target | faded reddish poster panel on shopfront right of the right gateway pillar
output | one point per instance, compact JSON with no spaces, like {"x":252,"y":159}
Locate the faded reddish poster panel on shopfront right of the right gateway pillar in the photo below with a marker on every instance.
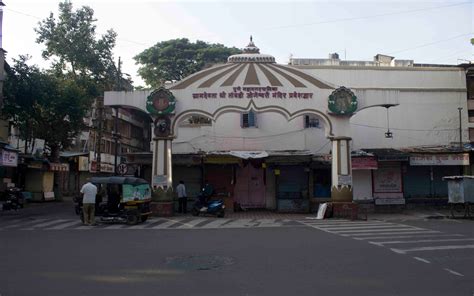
{"x":388,"y":179}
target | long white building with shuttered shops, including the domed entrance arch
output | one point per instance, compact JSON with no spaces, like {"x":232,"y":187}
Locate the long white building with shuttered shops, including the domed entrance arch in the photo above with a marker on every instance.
{"x":281,"y":136}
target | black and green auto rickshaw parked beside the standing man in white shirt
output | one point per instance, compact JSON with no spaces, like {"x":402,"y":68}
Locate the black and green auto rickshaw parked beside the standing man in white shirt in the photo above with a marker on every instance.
{"x":120,"y":199}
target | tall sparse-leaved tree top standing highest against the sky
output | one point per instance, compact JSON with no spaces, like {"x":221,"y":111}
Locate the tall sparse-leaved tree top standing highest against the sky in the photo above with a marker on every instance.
{"x":72,"y":45}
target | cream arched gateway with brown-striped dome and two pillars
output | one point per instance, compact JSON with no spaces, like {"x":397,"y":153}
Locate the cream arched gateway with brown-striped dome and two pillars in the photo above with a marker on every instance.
{"x":253,"y":82}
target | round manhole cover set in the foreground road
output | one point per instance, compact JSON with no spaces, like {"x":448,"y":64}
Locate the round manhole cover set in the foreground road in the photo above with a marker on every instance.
{"x":198,"y":262}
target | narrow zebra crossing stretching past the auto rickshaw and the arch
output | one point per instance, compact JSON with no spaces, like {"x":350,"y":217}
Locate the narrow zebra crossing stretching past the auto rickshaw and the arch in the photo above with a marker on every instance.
{"x":57,"y":224}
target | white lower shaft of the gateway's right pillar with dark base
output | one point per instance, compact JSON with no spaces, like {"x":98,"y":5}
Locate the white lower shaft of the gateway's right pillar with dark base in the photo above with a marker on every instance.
{"x":341,"y":190}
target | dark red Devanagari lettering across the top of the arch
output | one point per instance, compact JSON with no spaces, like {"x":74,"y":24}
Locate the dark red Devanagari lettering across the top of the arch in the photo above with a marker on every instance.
{"x":268,"y":92}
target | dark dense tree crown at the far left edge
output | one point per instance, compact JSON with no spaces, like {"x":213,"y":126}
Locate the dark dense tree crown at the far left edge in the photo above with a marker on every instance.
{"x":45,"y":105}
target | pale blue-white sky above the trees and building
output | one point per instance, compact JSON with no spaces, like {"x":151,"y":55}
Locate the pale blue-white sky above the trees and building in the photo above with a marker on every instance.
{"x":434,"y":32}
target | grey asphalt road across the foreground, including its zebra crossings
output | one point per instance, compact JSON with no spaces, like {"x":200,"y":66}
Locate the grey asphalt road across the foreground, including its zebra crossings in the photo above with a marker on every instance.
{"x":41,"y":256}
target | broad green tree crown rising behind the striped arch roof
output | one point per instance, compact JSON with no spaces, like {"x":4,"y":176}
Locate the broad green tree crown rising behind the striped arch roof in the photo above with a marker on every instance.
{"x":175,"y":59}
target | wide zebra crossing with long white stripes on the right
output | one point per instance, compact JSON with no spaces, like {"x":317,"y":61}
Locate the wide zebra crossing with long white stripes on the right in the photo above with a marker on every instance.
{"x":399,"y":238}
